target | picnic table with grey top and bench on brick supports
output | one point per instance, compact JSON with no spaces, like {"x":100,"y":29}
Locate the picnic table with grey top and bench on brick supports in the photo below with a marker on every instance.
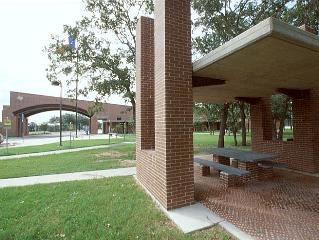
{"x":249,"y":166}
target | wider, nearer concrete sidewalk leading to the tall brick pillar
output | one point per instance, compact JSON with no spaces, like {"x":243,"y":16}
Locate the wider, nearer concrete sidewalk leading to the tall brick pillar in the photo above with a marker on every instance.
{"x":65,"y":177}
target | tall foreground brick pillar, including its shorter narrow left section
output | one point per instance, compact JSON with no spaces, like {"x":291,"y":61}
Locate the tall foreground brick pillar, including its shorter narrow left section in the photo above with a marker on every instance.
{"x":168,"y":171}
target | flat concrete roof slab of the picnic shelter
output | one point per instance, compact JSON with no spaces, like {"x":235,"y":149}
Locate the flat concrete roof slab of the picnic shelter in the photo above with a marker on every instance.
{"x":256,"y":63}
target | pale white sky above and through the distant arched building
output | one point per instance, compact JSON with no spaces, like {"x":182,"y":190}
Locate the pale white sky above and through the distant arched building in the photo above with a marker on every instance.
{"x":25,"y":28}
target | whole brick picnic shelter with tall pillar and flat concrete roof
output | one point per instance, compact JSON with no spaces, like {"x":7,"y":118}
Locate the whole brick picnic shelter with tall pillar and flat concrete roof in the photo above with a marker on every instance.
{"x":271,"y":57}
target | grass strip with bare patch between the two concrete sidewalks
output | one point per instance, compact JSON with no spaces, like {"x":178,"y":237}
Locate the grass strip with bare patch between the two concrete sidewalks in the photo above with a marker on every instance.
{"x":98,"y":159}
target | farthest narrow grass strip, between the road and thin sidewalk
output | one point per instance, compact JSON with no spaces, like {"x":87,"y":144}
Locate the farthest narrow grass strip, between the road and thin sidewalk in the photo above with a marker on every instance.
{"x":66,"y":145}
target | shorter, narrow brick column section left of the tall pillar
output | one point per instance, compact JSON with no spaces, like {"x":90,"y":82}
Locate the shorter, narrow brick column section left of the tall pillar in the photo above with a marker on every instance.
{"x":145,"y":120}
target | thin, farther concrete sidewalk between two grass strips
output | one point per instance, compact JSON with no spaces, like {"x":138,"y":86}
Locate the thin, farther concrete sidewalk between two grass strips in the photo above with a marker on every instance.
{"x":61,"y":151}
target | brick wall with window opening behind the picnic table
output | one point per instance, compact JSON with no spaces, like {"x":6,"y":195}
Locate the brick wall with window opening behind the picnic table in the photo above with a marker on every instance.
{"x":300,"y":154}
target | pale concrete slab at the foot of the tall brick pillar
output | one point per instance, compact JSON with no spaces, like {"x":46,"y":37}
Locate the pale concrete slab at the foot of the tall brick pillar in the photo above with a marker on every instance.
{"x":193,"y":218}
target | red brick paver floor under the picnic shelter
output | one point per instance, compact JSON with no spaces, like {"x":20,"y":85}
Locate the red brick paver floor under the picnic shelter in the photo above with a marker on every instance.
{"x":284,"y":207}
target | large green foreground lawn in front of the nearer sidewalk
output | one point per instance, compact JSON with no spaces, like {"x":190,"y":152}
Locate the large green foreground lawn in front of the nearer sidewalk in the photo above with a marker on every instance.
{"x":114,"y":208}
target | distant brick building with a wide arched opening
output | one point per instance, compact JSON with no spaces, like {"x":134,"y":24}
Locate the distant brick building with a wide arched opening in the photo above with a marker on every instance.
{"x":24,"y":105}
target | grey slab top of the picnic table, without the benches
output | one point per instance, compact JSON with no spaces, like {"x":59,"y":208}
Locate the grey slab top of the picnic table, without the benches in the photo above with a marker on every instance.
{"x":244,"y":156}
